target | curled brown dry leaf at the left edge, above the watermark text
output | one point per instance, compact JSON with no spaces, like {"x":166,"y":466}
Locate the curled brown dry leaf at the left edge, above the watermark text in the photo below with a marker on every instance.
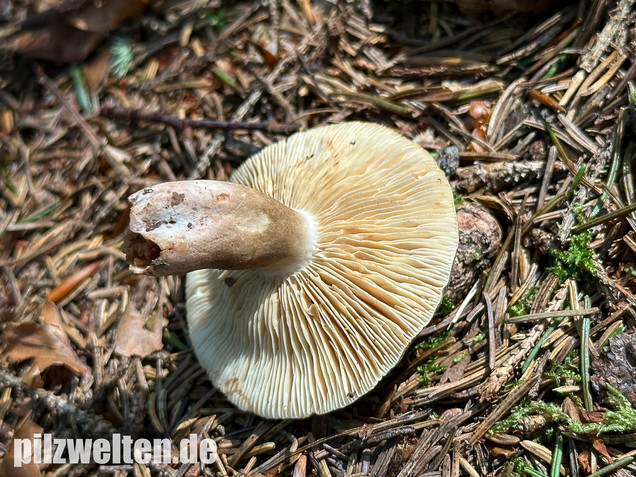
{"x":46,"y":344}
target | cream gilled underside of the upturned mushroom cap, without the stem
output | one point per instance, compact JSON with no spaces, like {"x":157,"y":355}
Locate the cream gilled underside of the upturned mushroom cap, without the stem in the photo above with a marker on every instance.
{"x":307,"y":340}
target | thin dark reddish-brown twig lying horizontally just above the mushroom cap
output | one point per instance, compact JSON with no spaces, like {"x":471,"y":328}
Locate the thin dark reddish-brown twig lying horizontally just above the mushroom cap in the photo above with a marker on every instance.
{"x":136,"y":115}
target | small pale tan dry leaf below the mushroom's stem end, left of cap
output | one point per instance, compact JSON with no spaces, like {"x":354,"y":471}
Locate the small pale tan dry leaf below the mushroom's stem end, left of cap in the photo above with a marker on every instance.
{"x":134,"y":338}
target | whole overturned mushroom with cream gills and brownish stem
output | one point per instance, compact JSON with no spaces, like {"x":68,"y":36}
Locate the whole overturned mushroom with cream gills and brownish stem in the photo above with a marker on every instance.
{"x":311,"y":272}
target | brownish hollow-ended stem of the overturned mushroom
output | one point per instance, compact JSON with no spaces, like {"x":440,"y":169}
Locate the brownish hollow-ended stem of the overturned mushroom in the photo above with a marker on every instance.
{"x":178,"y":227}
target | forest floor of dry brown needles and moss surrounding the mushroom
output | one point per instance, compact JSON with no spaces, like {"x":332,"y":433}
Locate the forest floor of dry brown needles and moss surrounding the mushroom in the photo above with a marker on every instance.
{"x":524,"y":369}
